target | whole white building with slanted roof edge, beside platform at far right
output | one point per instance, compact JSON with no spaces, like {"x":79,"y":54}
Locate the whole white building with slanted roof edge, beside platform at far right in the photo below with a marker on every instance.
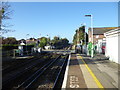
{"x":112,"y":45}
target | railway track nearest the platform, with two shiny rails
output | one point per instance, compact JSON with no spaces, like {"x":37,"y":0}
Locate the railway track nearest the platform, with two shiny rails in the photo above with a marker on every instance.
{"x":48,"y":77}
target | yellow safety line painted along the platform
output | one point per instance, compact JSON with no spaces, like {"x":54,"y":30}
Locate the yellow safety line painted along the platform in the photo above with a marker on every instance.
{"x":92,"y":74}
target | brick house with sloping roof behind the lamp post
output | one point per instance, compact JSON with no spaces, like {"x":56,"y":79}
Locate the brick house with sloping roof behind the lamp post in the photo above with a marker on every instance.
{"x":98,"y":37}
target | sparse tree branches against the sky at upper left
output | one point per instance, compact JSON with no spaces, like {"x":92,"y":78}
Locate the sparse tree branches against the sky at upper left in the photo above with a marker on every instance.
{"x":5,"y":13}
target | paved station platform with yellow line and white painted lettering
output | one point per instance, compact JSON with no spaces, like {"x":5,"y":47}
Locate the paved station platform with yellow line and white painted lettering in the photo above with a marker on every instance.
{"x":83,"y":72}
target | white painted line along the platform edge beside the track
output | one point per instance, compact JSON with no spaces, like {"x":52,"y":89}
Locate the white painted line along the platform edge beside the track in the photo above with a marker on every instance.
{"x":66,"y":74}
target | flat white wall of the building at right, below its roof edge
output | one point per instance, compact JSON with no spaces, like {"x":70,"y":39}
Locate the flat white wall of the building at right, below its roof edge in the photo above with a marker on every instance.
{"x":112,"y":46}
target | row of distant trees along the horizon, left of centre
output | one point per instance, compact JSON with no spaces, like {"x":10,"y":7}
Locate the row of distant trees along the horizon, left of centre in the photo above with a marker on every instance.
{"x":58,"y":42}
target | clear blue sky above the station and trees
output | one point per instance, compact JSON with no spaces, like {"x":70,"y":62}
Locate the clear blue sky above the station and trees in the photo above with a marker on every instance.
{"x":61,"y":19}
